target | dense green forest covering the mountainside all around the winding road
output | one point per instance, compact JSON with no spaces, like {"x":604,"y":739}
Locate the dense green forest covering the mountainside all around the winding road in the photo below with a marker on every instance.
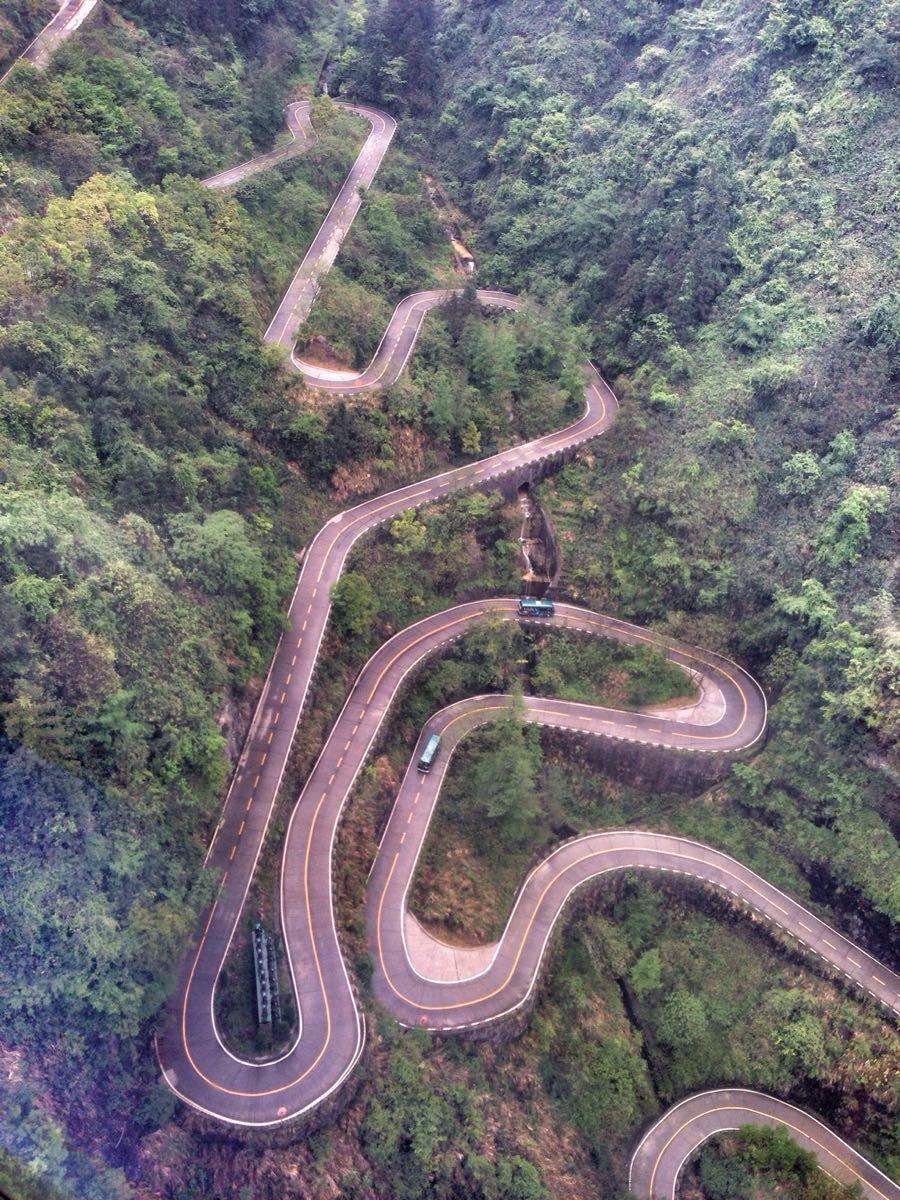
{"x":701,"y":196}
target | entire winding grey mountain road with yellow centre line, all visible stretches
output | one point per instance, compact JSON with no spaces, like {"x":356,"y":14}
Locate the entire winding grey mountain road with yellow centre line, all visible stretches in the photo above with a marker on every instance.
{"x":490,"y":983}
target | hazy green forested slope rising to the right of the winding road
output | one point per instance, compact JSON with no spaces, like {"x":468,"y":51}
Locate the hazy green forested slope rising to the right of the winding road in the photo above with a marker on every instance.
{"x":710,"y":190}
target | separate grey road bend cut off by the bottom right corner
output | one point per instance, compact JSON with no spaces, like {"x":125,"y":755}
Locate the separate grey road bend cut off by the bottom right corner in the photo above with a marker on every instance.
{"x":665,"y":1149}
